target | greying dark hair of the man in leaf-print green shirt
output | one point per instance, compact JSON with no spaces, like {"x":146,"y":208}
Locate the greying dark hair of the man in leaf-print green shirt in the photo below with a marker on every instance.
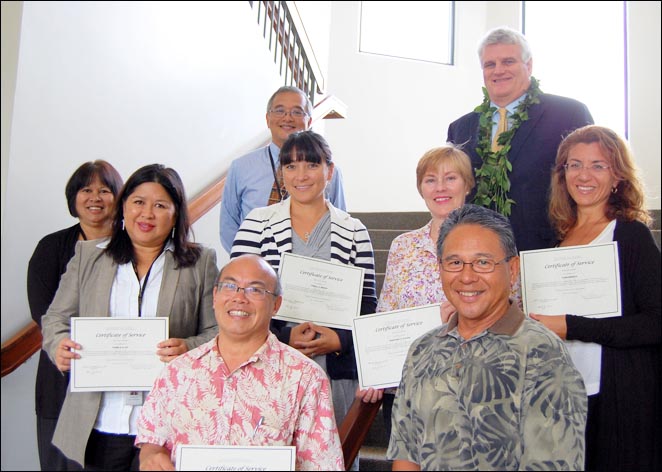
{"x":470,"y":214}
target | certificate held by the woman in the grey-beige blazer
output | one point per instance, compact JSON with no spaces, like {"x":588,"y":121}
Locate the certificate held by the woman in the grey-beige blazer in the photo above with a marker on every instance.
{"x":117,"y":354}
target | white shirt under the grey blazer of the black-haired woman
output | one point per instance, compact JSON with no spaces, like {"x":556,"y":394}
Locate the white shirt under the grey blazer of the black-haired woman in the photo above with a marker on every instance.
{"x":115,"y":416}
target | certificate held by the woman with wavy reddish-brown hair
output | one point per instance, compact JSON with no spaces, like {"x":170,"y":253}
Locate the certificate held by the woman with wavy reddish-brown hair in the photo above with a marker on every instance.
{"x":579,"y":280}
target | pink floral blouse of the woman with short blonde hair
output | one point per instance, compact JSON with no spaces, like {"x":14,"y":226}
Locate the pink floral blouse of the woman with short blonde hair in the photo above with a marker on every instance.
{"x":412,"y":273}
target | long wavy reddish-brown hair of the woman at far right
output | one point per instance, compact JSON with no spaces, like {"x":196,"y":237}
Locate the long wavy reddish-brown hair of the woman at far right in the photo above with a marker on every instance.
{"x":625,"y":204}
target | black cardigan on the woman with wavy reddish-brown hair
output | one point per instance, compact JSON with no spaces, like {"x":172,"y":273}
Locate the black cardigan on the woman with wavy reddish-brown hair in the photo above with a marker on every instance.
{"x":626,"y":413}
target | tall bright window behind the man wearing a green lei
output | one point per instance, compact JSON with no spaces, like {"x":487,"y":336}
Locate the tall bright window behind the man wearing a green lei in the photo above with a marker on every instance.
{"x":579,"y":51}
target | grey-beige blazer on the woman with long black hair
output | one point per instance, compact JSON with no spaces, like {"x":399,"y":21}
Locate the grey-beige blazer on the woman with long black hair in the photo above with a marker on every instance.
{"x":185,"y":297}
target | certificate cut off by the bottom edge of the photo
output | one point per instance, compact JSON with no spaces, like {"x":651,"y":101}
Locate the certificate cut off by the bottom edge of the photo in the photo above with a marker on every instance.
{"x":235,"y":457}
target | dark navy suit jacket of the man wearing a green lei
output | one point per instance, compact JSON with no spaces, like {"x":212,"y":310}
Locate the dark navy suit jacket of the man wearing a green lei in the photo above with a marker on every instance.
{"x":532,"y":154}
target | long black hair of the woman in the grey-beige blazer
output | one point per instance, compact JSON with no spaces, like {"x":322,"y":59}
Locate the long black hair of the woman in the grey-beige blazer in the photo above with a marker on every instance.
{"x":120,"y":247}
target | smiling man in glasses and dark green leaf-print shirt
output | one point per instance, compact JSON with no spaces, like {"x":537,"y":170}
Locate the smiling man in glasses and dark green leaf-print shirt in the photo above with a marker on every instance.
{"x":492,"y":389}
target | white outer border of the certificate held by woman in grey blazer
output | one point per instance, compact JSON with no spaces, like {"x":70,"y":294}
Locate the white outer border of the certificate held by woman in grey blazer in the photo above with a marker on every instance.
{"x":74,"y":377}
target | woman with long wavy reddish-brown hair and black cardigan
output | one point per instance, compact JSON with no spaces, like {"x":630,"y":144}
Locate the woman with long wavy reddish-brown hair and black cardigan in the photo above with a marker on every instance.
{"x":596,"y":197}
